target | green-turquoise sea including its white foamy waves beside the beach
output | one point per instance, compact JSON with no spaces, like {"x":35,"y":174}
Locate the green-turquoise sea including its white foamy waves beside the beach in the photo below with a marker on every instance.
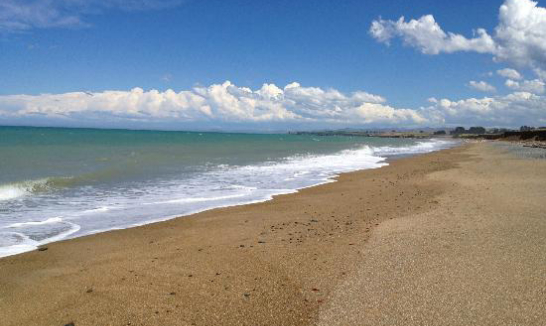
{"x":59,"y":183}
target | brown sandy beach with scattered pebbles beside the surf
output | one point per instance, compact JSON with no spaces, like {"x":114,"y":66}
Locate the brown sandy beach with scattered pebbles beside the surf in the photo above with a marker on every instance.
{"x":456,"y":237}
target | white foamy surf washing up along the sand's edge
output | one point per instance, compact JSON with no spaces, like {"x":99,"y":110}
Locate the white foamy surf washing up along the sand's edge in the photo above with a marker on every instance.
{"x":89,"y":209}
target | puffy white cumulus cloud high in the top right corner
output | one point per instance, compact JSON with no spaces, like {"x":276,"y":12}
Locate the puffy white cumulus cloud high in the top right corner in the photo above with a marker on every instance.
{"x":519,"y":38}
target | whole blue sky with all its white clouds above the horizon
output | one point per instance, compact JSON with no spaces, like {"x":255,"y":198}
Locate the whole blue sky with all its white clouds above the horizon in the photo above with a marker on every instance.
{"x":272,"y":65}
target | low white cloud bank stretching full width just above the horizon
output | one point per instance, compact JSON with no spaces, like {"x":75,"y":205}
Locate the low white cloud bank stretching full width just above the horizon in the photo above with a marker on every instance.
{"x":227,"y":105}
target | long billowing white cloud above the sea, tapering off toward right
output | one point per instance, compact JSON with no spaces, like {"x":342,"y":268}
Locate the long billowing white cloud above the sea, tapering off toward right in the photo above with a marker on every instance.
{"x":215,"y":105}
